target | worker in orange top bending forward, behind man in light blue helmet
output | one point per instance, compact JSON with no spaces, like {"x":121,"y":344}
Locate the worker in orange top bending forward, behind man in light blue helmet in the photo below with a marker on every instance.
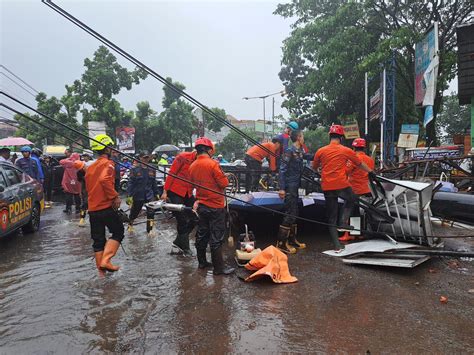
{"x":254,"y":158}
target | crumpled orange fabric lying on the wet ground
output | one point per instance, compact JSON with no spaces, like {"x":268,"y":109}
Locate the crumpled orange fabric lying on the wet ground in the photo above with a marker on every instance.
{"x":273,"y":263}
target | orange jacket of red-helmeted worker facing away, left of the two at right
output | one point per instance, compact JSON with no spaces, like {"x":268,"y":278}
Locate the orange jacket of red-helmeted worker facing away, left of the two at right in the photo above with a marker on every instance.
{"x":333,"y":160}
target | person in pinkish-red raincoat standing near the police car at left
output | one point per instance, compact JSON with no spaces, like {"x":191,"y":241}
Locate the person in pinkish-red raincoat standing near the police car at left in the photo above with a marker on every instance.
{"x":70,"y":183}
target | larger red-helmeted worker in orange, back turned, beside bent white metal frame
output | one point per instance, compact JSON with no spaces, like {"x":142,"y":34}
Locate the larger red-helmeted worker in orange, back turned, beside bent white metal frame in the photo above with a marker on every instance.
{"x":333,"y":159}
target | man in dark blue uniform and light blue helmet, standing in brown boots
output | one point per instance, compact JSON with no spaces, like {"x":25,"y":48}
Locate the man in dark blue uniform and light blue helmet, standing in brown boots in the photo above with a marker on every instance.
{"x":291,"y":169}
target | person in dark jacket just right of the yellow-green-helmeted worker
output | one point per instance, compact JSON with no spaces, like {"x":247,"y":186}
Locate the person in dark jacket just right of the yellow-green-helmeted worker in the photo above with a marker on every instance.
{"x":141,"y":189}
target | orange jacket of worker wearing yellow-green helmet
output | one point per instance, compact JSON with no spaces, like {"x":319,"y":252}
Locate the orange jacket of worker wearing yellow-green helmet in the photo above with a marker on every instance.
{"x":100,"y":181}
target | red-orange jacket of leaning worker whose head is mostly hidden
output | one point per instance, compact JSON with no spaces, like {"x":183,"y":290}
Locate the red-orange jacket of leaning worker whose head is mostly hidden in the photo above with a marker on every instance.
{"x":180,"y":167}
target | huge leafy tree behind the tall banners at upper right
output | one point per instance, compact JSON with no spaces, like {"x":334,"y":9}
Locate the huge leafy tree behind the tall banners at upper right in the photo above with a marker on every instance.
{"x":334,"y":42}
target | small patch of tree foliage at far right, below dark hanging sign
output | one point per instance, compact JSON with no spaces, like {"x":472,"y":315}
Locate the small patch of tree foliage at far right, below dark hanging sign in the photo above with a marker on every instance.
{"x":453,"y":118}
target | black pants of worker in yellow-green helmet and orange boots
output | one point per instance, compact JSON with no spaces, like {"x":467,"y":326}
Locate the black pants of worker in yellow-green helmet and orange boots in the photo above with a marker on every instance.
{"x":101,"y":219}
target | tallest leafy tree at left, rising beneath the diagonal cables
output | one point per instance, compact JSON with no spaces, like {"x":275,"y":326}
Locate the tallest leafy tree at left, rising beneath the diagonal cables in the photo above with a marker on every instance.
{"x":105,"y":77}
